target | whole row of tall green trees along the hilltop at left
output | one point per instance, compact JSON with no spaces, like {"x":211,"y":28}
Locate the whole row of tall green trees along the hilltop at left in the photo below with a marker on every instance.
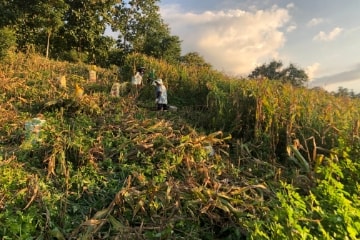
{"x":74,"y":30}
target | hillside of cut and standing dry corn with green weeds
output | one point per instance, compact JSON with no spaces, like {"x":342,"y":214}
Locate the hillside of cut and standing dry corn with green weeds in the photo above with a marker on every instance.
{"x":285,"y":162}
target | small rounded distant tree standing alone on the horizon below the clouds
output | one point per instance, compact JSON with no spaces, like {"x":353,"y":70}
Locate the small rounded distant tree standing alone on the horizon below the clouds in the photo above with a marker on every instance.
{"x":275,"y":71}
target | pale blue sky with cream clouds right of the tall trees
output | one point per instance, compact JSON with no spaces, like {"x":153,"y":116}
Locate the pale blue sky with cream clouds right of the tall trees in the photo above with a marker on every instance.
{"x":321,"y":37}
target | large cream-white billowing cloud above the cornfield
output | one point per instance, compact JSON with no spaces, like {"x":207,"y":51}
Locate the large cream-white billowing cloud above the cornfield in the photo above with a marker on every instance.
{"x":235,"y":41}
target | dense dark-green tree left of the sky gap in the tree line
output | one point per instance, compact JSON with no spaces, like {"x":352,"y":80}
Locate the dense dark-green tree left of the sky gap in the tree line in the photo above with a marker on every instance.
{"x":85,"y":24}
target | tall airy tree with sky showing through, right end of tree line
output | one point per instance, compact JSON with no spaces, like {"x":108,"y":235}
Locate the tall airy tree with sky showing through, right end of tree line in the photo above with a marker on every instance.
{"x":142,"y":30}
